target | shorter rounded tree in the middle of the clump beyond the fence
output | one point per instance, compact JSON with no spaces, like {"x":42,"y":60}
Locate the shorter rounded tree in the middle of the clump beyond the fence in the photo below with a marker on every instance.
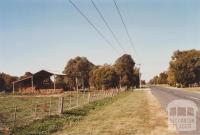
{"x":104,"y":77}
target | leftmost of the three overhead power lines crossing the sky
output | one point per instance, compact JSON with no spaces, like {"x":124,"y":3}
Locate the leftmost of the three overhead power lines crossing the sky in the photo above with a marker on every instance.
{"x":90,"y":22}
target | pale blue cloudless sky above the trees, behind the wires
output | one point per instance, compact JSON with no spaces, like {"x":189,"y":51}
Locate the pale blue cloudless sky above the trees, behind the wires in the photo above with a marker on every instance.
{"x":45,"y":34}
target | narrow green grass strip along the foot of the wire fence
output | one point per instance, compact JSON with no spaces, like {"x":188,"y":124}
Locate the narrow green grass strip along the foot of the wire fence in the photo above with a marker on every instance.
{"x":52,"y":124}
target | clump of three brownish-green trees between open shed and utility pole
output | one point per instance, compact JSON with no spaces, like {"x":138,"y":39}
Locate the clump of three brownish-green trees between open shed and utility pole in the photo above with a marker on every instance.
{"x":122,"y":73}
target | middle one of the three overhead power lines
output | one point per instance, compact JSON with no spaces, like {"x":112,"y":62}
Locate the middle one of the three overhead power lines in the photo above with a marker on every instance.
{"x":107,"y":25}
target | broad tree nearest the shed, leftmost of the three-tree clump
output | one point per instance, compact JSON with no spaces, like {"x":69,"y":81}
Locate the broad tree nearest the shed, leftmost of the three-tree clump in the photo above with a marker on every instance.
{"x":78,"y":69}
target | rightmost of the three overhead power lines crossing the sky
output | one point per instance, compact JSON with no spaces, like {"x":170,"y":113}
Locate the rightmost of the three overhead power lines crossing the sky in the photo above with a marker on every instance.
{"x":125,"y":27}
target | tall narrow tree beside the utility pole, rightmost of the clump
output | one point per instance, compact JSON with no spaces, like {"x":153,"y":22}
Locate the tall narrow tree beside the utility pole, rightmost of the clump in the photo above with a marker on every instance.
{"x":124,"y":67}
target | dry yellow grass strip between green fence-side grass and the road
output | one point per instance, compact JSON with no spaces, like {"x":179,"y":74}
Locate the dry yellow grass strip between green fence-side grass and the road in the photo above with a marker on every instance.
{"x":138,"y":113}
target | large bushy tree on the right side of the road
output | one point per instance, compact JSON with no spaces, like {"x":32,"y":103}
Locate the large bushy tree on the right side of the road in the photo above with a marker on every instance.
{"x":184,"y":69}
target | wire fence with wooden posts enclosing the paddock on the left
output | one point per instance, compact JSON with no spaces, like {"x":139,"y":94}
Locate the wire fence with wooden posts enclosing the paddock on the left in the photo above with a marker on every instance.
{"x":17,"y":111}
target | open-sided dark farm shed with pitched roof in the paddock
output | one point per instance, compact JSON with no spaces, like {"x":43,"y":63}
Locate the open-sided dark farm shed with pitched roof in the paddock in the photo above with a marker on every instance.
{"x":37,"y":83}
